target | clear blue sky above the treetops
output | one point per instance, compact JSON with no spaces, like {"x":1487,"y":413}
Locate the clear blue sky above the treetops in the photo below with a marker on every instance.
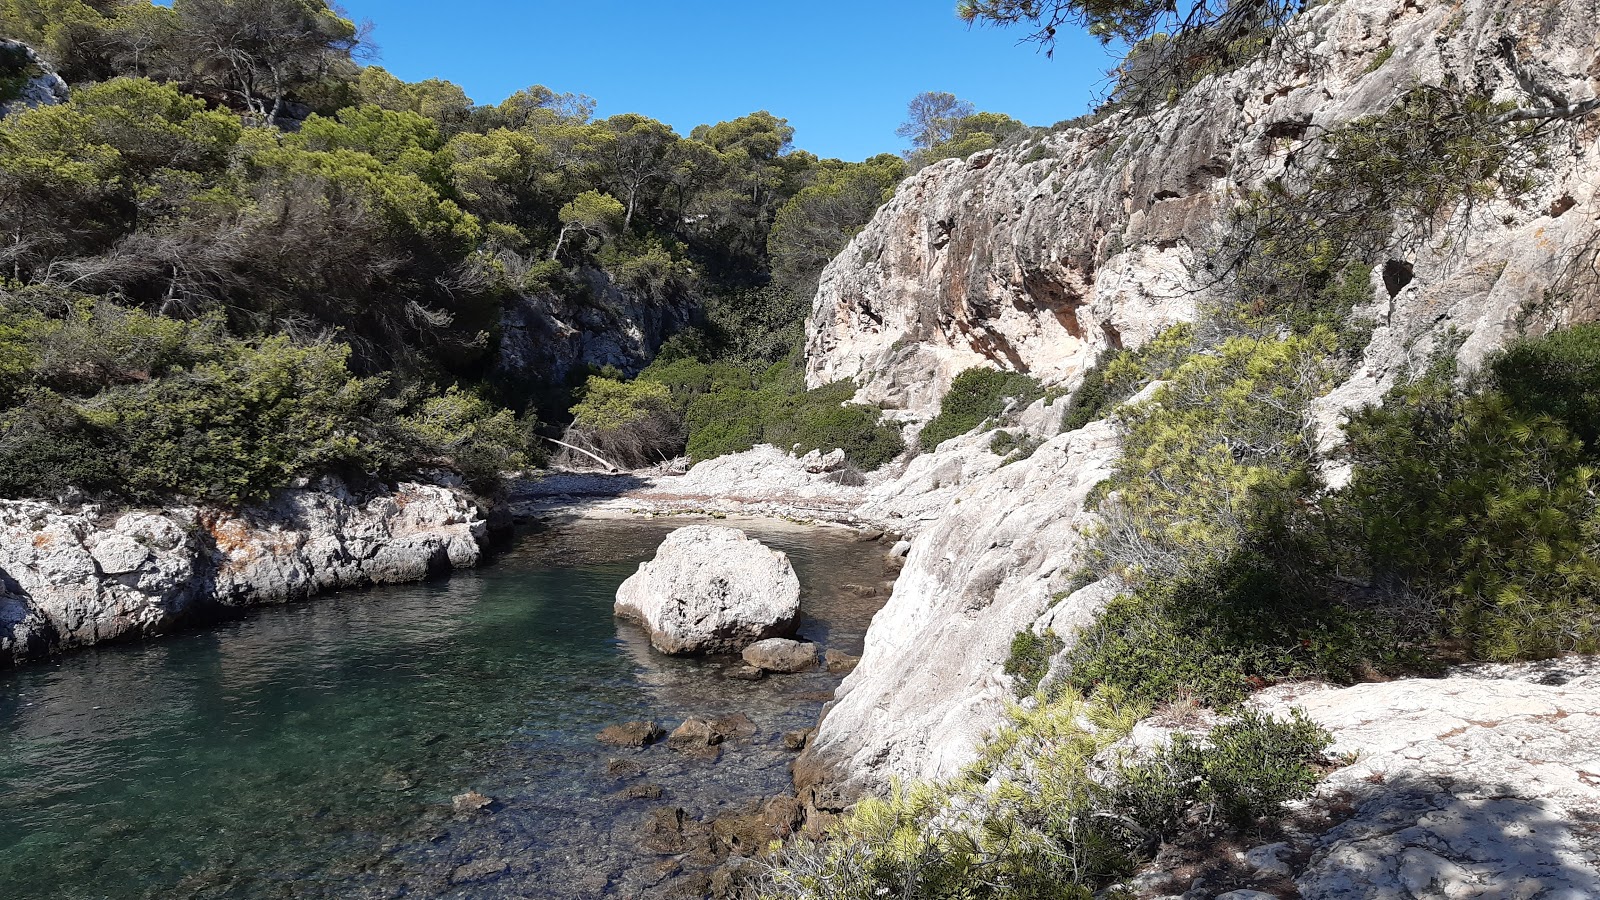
{"x":839,"y":71}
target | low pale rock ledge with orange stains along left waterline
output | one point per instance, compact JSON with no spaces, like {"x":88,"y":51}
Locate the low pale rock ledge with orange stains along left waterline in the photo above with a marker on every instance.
{"x":79,"y":577}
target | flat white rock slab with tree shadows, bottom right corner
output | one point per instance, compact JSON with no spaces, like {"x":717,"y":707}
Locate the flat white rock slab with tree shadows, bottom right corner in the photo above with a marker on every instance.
{"x":1484,"y":784}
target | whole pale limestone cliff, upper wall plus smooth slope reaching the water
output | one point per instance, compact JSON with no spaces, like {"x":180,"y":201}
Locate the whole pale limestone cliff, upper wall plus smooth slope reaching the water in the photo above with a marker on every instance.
{"x":1039,"y":257}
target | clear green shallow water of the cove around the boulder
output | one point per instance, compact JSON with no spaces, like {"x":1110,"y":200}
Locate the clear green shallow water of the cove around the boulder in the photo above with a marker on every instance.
{"x":313,"y":750}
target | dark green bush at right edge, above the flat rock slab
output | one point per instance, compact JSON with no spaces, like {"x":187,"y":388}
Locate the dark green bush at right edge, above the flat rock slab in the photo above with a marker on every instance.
{"x":1482,"y":502}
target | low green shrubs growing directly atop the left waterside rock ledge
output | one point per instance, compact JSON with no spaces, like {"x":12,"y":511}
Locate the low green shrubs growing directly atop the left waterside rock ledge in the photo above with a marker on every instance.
{"x":145,"y":408}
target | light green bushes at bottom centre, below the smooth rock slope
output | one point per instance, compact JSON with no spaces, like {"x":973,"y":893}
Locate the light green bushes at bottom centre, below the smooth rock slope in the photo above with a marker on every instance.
{"x":1031,"y":824}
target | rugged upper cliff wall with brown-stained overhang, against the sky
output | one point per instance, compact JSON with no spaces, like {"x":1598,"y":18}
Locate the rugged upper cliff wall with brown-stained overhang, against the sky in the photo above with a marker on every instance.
{"x":1039,"y":257}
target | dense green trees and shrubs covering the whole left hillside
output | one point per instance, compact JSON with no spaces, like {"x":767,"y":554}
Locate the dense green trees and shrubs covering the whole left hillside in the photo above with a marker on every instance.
{"x":249,"y":219}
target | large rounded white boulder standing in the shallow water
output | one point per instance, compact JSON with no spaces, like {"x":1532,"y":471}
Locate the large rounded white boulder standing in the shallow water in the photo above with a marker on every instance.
{"x":711,"y":592}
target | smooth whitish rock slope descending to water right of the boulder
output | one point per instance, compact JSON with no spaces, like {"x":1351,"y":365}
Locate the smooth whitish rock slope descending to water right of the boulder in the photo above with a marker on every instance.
{"x":930,"y":683}
